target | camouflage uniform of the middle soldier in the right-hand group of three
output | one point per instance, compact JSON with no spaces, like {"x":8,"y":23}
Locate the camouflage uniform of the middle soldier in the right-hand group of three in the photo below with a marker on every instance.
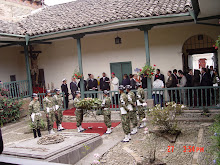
{"x":133,"y":114}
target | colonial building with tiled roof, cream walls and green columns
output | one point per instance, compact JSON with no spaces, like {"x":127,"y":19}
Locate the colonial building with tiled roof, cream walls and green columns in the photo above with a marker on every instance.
{"x":98,"y":36}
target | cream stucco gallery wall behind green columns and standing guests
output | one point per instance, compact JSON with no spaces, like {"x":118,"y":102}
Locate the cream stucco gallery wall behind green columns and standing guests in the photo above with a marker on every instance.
{"x":60,"y":58}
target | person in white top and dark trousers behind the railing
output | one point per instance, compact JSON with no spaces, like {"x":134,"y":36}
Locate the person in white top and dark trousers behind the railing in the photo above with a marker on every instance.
{"x":158,"y":95}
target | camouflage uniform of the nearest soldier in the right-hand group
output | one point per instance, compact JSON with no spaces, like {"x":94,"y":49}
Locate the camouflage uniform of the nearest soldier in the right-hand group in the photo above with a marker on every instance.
{"x":125,"y":119}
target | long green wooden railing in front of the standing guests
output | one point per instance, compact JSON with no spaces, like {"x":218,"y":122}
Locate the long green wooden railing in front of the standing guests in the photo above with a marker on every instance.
{"x":192,"y":97}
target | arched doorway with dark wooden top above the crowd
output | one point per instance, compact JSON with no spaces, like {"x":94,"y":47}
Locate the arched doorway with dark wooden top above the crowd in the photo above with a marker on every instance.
{"x":198,"y":51}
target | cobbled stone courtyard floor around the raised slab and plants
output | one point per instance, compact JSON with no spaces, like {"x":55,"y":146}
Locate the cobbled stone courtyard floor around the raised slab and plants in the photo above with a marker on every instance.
{"x":114,"y":152}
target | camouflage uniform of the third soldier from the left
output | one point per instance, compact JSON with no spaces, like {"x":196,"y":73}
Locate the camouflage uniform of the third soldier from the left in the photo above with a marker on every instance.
{"x":58,"y":101}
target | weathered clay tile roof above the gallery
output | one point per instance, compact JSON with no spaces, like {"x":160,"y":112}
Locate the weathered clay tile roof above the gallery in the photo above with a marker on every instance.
{"x":83,"y":13}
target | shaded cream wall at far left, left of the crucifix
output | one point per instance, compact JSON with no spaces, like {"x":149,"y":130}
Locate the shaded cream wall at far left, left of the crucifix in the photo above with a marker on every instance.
{"x":12,"y":62}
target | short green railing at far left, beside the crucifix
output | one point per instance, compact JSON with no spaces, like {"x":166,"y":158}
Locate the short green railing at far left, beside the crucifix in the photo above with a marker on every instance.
{"x":17,"y":89}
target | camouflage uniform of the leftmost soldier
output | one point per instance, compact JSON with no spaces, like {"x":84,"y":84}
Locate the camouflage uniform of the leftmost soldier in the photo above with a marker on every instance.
{"x":34,"y":112}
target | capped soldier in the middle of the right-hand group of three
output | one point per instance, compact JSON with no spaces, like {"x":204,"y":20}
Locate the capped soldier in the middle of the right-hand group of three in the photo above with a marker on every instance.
{"x":132,"y":108}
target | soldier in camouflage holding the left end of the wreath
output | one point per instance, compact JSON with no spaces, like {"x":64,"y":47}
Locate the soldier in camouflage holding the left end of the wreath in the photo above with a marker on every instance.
{"x":78,"y":112}
